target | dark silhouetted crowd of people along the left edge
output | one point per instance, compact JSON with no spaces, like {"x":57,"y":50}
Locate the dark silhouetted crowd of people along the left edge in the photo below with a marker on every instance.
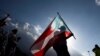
{"x":8,"y":40}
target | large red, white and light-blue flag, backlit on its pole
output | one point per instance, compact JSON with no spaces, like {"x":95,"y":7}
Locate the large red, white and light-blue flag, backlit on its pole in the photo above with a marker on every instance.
{"x":48,"y":37}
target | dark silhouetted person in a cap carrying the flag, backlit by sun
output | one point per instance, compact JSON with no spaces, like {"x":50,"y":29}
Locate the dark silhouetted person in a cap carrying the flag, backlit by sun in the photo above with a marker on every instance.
{"x":61,"y":46}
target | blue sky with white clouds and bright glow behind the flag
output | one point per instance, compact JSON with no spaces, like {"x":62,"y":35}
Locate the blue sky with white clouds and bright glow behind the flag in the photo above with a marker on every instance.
{"x":81,"y":16}
